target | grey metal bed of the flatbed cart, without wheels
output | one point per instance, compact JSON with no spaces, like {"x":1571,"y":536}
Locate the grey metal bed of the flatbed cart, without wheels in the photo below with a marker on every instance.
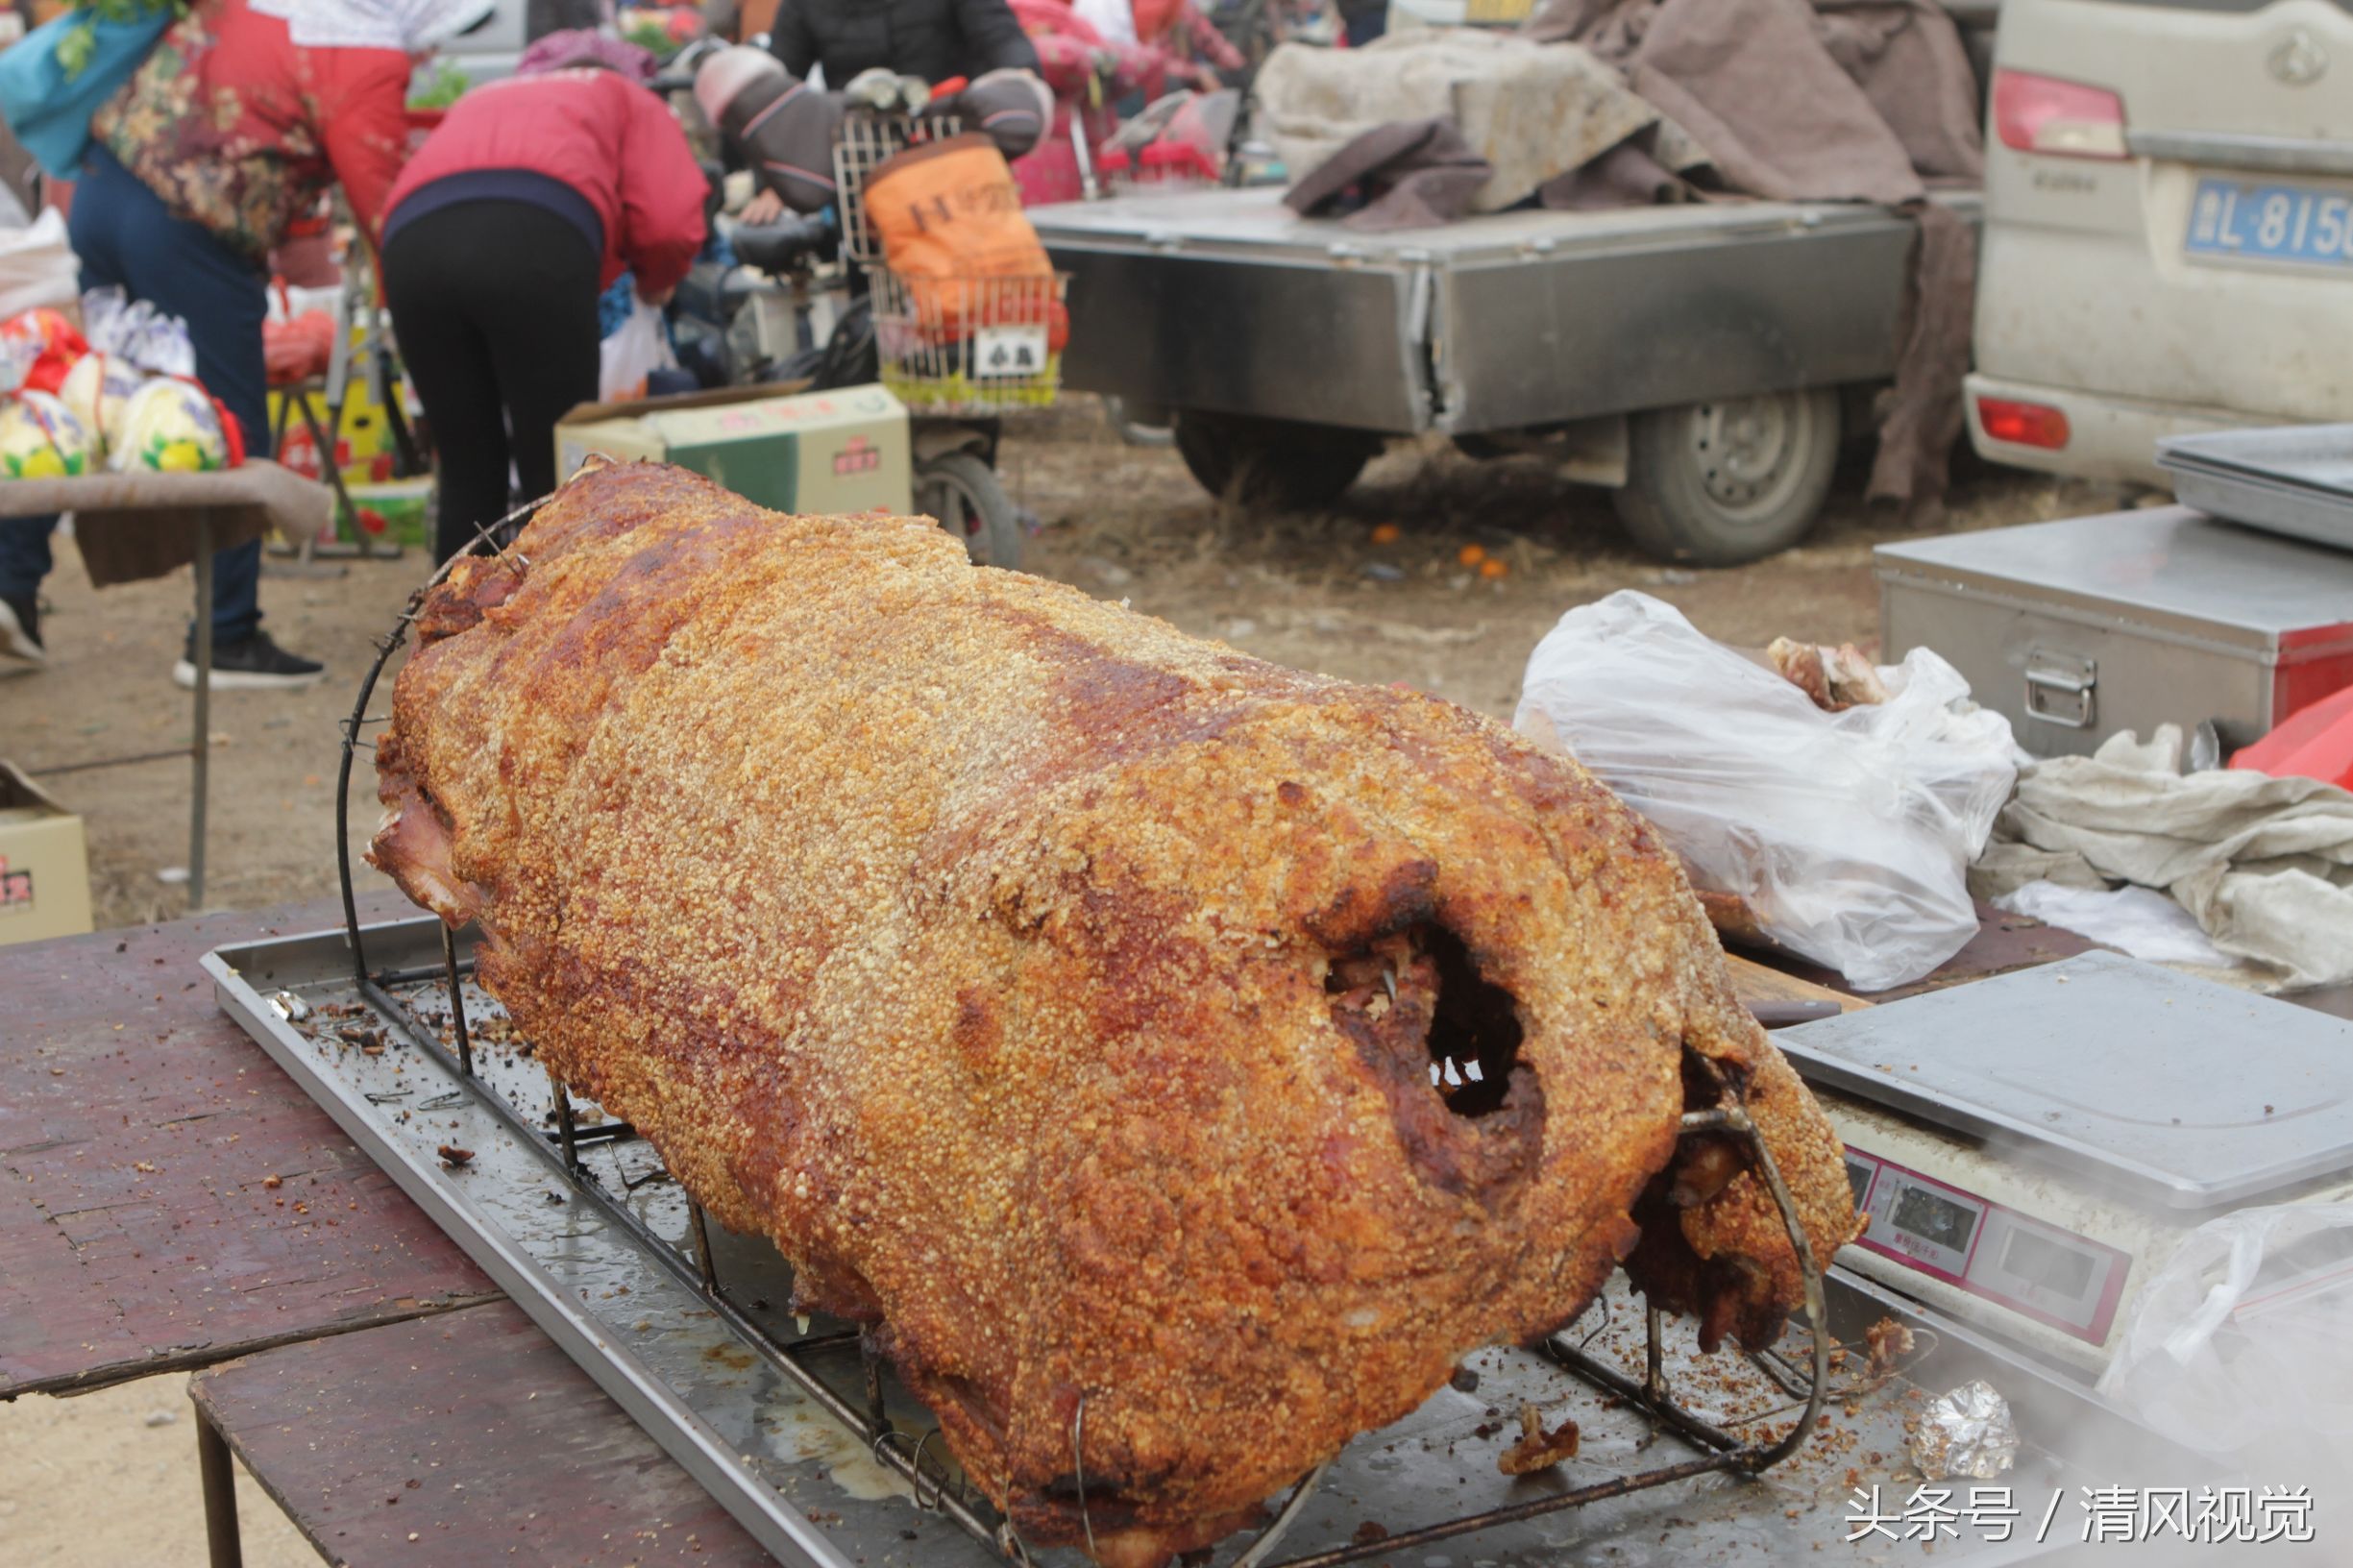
{"x":1227,"y":300}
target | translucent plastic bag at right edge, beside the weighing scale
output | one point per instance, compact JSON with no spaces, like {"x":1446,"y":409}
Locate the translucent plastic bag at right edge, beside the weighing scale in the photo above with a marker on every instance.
{"x":2244,"y":1341}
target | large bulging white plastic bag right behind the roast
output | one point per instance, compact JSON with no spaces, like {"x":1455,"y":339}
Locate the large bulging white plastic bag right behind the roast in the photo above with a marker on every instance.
{"x":1846,"y":835}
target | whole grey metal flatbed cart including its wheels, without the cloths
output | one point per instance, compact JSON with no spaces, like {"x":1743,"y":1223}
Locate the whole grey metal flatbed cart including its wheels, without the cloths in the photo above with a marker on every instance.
{"x":1700,"y":359}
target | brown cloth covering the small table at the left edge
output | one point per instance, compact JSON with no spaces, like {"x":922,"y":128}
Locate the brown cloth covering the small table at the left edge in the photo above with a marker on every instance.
{"x":142,"y":524}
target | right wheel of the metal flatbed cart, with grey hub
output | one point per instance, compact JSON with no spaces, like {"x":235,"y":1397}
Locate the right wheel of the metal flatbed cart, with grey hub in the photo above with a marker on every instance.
{"x":1735,"y":481}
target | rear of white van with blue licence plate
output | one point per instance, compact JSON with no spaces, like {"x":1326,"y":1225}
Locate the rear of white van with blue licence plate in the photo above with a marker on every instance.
{"x":2168,"y":227}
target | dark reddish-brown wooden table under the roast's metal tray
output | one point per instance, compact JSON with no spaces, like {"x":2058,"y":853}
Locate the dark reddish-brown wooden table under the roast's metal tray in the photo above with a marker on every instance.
{"x":373,"y":1381}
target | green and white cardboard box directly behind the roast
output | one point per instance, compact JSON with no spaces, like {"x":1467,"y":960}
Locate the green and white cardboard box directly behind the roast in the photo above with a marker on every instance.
{"x":808,"y":453}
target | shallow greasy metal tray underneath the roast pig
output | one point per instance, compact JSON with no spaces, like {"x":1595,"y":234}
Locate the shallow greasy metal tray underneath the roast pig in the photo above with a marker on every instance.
{"x":608,"y":1268}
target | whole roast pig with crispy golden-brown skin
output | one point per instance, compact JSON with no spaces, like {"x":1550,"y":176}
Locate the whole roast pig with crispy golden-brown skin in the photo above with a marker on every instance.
{"x":1062,"y":995}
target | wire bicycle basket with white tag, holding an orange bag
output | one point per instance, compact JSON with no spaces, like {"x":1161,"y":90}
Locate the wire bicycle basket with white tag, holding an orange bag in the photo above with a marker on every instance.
{"x":968,"y":345}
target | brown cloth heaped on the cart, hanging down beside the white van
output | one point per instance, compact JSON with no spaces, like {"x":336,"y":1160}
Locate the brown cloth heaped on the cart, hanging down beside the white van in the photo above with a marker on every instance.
{"x":1844,"y":100}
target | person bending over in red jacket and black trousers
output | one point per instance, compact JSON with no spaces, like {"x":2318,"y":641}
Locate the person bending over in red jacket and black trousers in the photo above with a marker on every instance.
{"x":505,"y":230}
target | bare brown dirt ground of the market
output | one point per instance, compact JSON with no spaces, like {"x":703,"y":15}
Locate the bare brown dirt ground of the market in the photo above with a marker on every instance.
{"x":1116,"y":521}
